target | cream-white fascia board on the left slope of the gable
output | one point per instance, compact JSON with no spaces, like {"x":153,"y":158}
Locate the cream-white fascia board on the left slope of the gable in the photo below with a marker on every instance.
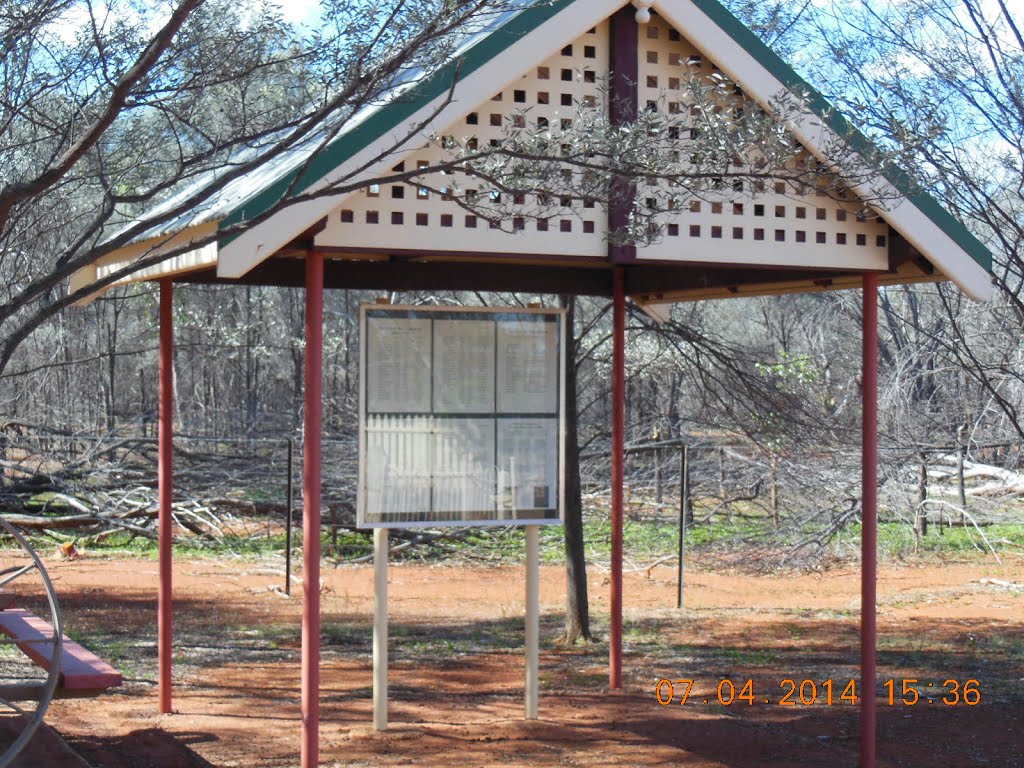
{"x":263,"y":241}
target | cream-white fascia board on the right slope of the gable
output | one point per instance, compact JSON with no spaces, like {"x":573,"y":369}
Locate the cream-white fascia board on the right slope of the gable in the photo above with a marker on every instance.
{"x":756,"y":81}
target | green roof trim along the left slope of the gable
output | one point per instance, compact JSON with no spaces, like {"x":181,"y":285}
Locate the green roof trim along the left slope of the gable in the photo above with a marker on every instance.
{"x":394,"y":114}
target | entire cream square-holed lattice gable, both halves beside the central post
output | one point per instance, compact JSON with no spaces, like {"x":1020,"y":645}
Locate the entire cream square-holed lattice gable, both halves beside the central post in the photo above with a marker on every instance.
{"x":763,"y":224}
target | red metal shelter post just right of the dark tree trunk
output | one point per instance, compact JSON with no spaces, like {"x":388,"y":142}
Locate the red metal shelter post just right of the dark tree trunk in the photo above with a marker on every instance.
{"x":618,"y":453}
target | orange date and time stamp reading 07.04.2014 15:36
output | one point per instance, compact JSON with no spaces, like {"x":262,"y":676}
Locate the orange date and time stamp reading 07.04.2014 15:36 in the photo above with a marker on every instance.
{"x":807,"y":693}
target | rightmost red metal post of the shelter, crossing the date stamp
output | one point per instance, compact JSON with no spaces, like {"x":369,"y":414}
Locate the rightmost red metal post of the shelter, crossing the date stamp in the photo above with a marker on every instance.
{"x":870,"y":503}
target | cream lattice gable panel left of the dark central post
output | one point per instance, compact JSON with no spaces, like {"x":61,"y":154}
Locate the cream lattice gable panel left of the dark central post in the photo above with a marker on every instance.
{"x":404,"y":218}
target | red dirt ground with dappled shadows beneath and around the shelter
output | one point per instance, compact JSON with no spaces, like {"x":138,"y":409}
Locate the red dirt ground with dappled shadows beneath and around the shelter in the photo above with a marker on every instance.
{"x":457,"y":668}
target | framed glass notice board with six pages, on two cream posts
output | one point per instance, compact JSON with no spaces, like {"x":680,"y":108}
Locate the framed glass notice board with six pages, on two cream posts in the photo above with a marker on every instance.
{"x":399,"y":390}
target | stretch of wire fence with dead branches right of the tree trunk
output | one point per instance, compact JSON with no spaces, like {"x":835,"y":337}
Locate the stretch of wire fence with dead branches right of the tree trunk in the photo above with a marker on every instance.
{"x":795,"y":506}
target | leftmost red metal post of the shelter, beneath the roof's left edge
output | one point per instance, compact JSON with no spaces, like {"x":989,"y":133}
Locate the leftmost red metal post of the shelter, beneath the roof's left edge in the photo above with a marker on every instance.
{"x":165,"y":481}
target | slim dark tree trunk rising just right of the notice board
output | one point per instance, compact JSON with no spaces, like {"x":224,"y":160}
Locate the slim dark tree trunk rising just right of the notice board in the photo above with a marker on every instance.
{"x":577,"y":602}
